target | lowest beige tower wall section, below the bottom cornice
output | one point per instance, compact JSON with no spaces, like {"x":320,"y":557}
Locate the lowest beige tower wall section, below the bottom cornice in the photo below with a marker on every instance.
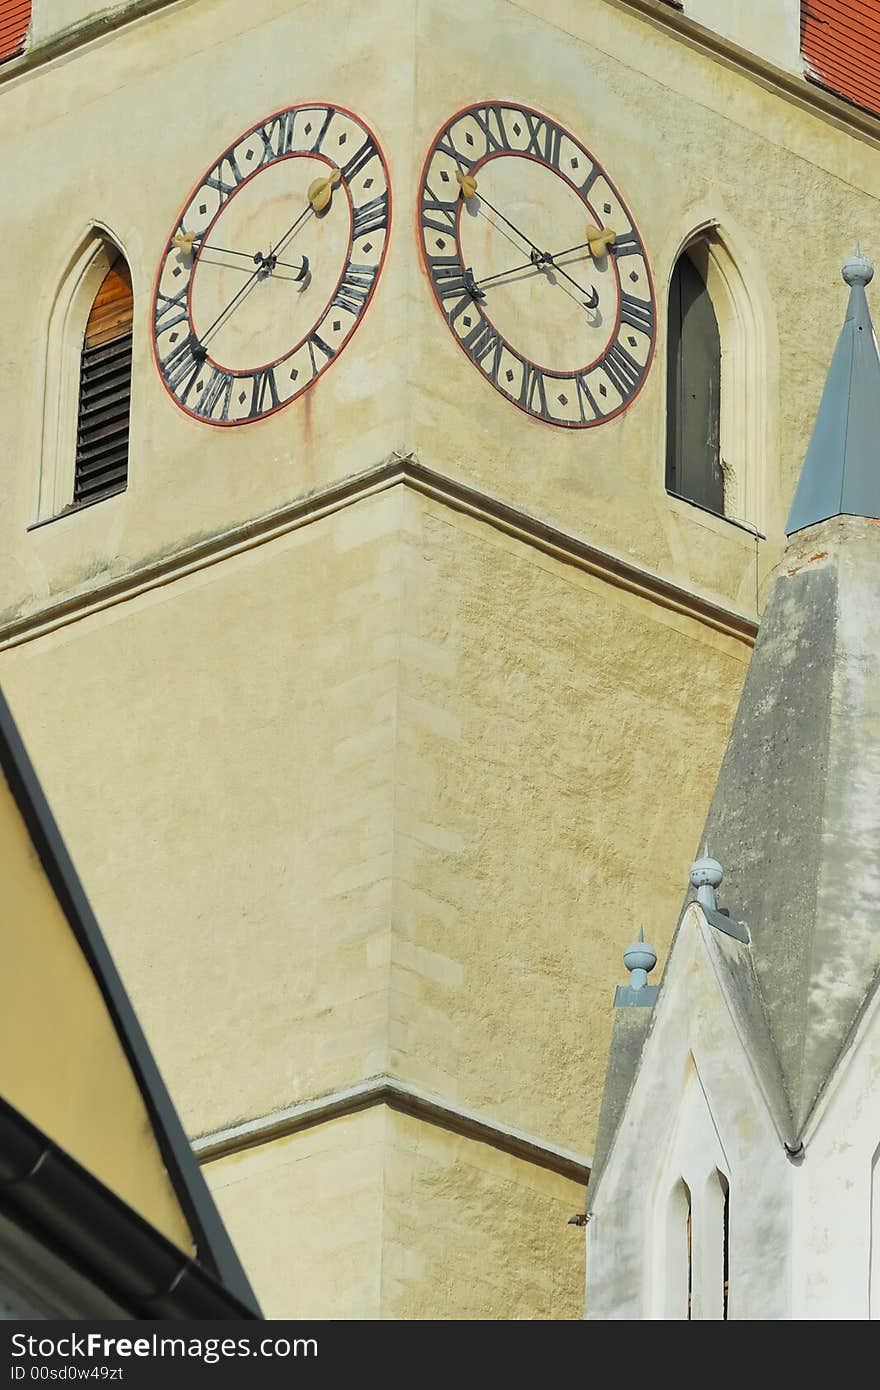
{"x":382,"y":1216}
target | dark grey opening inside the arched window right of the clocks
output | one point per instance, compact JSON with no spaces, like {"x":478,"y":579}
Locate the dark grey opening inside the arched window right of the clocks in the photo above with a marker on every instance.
{"x":694,"y":391}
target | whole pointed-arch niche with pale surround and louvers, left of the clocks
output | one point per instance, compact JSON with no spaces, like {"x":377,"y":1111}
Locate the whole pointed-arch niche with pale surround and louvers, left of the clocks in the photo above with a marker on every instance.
{"x":84,"y":454}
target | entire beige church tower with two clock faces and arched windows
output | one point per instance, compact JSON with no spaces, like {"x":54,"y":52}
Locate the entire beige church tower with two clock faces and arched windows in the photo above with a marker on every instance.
{"x":402,"y":407}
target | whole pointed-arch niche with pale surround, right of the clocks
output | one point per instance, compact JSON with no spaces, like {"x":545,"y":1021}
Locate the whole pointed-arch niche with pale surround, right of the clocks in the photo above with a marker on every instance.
{"x":715,"y":320}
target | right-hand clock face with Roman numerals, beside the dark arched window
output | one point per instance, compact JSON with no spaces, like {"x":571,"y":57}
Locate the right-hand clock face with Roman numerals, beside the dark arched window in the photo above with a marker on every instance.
{"x":537,"y":265}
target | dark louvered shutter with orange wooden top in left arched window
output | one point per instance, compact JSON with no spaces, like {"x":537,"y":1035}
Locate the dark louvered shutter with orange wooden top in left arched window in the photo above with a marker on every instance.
{"x":105,"y":391}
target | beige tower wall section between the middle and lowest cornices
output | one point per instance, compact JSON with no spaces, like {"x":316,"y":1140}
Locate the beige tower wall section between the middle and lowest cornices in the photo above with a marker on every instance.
{"x":368,"y":799}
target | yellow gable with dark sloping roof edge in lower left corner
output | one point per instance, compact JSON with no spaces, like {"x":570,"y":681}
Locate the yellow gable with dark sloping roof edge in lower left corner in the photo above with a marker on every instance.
{"x":72,"y":1040}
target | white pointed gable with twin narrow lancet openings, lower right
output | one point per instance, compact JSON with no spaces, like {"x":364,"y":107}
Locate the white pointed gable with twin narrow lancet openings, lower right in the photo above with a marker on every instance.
{"x":696,"y":1120}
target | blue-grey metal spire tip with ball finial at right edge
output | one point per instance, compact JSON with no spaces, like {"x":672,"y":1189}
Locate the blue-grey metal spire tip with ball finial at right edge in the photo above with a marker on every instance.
{"x":842,"y":469}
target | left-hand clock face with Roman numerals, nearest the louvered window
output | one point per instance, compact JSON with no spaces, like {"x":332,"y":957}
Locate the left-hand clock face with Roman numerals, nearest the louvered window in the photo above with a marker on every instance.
{"x":272,"y":265}
